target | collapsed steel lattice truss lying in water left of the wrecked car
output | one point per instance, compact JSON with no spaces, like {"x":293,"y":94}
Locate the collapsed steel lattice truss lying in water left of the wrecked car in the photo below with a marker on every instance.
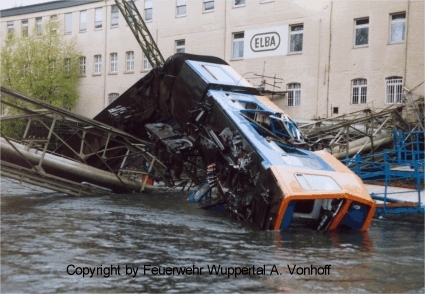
{"x":56,"y":149}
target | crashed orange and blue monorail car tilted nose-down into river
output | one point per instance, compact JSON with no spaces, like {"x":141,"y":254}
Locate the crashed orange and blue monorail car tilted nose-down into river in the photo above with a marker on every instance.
{"x":263,"y":168}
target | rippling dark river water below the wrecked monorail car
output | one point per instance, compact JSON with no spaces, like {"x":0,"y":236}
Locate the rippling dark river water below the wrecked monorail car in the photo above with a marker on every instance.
{"x":49,"y":240}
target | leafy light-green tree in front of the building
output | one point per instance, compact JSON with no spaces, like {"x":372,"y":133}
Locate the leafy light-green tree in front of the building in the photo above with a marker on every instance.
{"x":43,"y":65}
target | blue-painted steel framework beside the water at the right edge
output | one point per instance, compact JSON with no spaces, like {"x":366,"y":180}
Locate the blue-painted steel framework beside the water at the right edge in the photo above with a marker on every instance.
{"x":405,"y":161}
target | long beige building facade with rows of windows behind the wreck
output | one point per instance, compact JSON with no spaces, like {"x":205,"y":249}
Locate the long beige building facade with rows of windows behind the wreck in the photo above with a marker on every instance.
{"x":325,"y":57}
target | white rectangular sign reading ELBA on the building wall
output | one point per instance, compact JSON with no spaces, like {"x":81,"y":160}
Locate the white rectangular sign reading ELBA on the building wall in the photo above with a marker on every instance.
{"x":266,"y":42}
